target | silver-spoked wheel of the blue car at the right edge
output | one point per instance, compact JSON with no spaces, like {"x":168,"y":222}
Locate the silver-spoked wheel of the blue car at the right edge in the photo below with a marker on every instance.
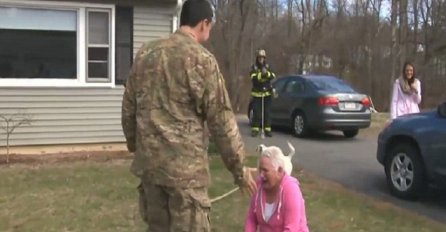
{"x":405,"y":172}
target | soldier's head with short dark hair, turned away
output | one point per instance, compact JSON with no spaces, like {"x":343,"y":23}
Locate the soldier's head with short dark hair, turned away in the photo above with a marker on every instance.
{"x":198,"y":16}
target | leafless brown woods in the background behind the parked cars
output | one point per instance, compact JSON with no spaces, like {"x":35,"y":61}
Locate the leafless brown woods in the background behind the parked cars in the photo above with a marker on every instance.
{"x":363,"y":44}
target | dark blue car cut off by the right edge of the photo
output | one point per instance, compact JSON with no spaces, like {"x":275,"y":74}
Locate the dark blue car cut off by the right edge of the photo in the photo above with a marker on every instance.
{"x":412,"y":150}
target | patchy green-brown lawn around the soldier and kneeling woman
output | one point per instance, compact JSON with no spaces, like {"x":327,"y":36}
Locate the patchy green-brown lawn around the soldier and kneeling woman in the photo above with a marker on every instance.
{"x":92,"y":196}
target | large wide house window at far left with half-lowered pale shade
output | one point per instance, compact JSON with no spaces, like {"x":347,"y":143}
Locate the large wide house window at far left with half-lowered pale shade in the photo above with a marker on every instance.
{"x":34,"y":45}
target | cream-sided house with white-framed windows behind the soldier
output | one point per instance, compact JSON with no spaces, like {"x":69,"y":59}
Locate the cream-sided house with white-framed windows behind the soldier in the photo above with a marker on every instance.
{"x":64,"y":63}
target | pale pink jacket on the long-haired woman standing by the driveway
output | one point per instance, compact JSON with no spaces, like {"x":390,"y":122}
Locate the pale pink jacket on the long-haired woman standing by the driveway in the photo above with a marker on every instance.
{"x":404,"y":103}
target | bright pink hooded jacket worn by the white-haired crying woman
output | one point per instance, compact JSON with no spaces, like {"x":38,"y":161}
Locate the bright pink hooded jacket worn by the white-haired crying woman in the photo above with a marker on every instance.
{"x":289,"y":214}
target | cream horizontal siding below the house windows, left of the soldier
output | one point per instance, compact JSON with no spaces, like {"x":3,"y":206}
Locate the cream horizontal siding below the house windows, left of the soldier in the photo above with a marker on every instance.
{"x":64,"y":115}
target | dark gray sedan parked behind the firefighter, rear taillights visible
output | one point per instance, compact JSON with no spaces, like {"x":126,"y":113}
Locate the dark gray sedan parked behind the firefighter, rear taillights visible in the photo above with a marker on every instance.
{"x":307,"y":103}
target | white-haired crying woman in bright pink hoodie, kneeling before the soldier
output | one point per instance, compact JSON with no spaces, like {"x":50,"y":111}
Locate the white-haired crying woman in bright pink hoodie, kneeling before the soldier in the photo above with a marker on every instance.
{"x":278,"y":205}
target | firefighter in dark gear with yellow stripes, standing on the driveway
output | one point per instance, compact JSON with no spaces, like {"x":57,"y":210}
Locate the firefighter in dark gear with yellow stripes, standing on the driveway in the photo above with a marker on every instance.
{"x":262,"y":91}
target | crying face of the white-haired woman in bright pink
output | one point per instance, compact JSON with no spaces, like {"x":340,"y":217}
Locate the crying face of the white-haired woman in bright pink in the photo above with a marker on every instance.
{"x":270,"y":176}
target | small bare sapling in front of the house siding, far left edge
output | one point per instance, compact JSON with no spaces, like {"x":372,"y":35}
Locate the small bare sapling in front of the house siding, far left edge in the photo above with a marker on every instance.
{"x":10,"y":122}
